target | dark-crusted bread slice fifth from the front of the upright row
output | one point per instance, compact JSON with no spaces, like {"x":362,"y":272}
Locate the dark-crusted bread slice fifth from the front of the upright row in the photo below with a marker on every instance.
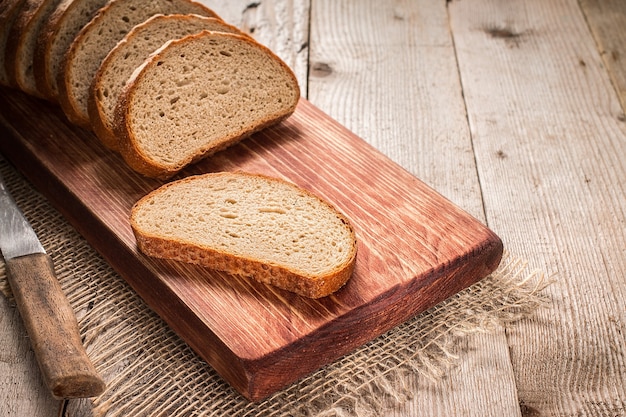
{"x":22,"y":40}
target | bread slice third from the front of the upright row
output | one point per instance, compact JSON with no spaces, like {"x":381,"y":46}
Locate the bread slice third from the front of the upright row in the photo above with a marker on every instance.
{"x":98,"y":37}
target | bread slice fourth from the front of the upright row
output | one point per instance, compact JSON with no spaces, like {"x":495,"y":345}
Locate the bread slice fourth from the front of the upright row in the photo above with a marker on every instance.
{"x":54,"y":40}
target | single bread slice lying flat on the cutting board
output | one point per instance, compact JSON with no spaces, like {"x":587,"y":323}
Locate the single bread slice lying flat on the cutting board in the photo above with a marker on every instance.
{"x":251,"y":225}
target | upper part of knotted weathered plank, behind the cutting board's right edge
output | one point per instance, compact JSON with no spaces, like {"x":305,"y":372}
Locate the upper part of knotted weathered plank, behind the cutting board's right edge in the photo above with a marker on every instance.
{"x":387,"y":71}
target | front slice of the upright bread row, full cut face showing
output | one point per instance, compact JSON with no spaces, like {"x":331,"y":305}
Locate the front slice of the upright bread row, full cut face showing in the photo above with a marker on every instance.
{"x":198,"y":95}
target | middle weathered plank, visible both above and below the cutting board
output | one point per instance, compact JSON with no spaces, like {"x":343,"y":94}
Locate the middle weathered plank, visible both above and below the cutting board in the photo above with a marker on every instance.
{"x":387,"y":71}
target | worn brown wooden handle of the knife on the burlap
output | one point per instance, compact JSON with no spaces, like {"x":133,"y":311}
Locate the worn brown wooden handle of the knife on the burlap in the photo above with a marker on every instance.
{"x":52,"y":328}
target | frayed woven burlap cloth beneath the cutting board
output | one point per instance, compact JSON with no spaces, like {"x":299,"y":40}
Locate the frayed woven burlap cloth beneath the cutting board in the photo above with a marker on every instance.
{"x":150,"y":371}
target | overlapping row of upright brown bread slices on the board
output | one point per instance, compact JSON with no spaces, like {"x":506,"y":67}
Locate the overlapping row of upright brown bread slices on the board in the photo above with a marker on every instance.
{"x":163,"y":82}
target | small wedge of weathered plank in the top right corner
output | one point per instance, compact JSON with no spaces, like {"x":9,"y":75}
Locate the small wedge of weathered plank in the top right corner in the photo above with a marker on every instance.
{"x":607,"y":20}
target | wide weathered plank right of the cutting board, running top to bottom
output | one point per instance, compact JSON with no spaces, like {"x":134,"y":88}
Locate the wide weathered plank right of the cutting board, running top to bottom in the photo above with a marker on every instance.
{"x":550,"y":144}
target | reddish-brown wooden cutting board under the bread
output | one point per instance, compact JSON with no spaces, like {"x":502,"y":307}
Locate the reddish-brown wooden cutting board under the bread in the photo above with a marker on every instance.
{"x":415,"y":247}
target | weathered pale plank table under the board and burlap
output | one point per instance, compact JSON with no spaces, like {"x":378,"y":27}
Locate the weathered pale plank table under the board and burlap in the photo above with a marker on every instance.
{"x":515,"y":111}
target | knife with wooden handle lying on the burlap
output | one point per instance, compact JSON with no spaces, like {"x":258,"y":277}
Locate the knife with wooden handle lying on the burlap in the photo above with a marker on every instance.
{"x":48,"y":317}
